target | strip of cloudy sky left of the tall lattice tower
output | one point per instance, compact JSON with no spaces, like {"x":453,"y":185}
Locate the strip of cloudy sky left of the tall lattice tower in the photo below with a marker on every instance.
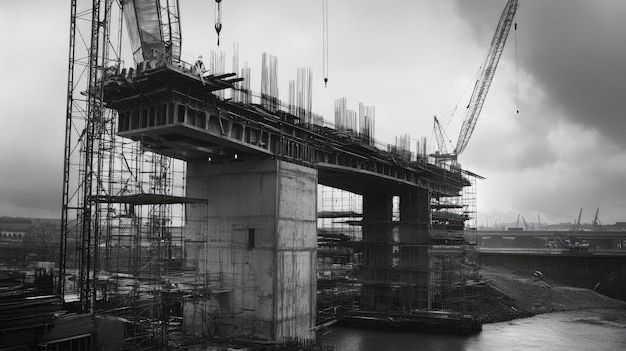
{"x":33,"y":107}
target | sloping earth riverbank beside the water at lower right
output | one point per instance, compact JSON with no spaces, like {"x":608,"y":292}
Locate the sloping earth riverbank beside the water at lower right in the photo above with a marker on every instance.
{"x":507,"y":295}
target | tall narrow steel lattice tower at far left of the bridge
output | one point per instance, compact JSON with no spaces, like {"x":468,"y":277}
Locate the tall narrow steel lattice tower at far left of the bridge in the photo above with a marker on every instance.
{"x":85,"y":124}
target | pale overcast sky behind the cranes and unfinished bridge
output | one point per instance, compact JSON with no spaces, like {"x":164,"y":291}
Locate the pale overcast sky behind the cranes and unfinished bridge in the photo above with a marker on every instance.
{"x":564,"y":70}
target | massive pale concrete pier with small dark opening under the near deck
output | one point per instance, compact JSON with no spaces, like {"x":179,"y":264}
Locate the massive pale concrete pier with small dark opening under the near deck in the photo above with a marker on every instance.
{"x":256,"y":240}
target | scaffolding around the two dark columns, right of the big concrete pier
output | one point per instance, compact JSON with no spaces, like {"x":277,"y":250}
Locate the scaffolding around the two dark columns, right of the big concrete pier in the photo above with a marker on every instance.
{"x":396,"y":267}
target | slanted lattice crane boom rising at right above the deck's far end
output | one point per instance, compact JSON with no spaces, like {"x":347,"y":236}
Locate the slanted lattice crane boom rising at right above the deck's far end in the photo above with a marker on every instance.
{"x":481,"y":88}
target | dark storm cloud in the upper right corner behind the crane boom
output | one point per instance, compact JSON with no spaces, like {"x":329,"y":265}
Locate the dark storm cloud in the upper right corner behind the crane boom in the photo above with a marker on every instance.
{"x":575,"y":50}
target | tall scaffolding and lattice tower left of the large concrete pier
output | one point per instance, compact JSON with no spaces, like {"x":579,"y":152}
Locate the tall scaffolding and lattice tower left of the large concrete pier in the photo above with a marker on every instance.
{"x":123,"y":237}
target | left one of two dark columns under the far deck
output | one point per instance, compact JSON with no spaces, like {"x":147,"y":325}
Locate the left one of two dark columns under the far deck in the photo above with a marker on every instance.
{"x":376,"y":293}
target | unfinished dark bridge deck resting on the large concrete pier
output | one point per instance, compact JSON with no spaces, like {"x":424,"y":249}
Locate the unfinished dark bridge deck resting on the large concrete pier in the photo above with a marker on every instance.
{"x":174,"y":112}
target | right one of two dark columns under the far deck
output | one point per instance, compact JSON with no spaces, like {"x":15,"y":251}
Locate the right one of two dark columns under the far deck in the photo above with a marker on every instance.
{"x":413,"y":244}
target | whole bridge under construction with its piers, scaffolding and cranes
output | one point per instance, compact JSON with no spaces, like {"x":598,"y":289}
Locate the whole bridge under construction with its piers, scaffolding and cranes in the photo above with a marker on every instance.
{"x":195,"y":209}
